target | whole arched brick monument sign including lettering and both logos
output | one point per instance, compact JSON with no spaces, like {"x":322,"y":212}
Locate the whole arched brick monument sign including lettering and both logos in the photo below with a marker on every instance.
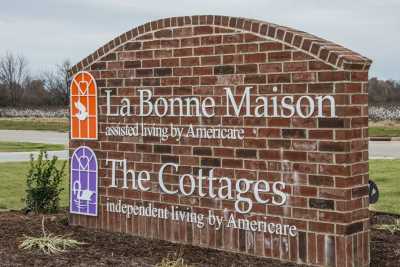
{"x":226,"y":133}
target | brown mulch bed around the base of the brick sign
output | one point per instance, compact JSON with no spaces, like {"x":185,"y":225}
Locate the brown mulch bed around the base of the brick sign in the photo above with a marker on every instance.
{"x":111,"y":249}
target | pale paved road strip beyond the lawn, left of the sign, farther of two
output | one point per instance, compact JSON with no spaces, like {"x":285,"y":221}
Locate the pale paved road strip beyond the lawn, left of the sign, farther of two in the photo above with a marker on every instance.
{"x":34,"y":136}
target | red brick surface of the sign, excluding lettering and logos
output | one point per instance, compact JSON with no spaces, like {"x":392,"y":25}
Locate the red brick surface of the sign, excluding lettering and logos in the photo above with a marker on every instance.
{"x":323,"y":161}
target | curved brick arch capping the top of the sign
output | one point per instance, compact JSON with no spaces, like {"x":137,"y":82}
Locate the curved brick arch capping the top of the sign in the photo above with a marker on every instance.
{"x":332,"y":54}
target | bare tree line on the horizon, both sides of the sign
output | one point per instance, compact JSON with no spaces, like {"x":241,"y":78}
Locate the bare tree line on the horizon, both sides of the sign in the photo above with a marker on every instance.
{"x":50,"y":89}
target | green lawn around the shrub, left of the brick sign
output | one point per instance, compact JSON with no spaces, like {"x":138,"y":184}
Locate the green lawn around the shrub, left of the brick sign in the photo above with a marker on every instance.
{"x":13,"y":185}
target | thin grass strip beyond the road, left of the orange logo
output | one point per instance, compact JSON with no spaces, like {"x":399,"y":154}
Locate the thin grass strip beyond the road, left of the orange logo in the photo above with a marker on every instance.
{"x":43,"y":124}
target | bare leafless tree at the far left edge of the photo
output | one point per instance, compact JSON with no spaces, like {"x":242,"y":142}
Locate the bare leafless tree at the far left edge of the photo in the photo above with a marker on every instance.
{"x":13,"y":72}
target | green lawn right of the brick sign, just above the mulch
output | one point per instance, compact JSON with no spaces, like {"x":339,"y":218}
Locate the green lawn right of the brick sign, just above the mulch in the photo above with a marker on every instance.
{"x":386,"y":174}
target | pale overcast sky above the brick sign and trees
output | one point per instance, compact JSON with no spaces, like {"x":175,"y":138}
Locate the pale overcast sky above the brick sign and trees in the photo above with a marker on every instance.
{"x":49,"y":31}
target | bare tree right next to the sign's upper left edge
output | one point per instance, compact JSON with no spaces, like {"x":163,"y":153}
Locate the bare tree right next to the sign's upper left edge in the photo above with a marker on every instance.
{"x":56,"y":83}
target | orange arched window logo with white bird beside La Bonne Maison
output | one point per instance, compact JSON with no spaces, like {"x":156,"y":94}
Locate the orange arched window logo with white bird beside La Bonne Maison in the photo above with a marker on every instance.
{"x":83,"y":110}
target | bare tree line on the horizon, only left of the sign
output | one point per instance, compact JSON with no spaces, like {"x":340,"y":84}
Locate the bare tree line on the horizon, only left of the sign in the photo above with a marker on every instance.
{"x":18,"y":88}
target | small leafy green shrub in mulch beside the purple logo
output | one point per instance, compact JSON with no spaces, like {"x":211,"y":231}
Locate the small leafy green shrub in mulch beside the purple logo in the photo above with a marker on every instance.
{"x":43,"y":184}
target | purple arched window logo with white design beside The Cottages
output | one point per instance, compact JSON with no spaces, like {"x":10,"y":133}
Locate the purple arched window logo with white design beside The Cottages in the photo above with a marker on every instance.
{"x":84,"y":181}
